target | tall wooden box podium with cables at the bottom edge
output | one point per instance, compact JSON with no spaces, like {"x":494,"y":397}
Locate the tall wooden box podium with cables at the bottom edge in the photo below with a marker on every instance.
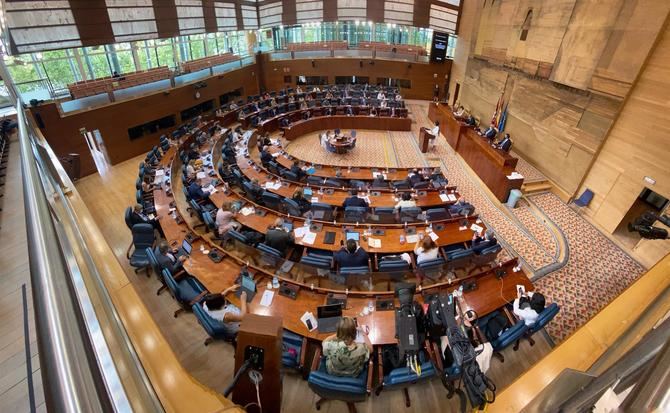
{"x":260,"y":337}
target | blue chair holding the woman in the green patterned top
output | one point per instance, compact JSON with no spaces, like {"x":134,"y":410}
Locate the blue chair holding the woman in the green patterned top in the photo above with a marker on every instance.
{"x":347,"y":389}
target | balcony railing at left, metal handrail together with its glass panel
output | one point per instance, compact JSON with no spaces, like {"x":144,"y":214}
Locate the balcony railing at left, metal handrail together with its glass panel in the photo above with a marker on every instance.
{"x":87,"y":360}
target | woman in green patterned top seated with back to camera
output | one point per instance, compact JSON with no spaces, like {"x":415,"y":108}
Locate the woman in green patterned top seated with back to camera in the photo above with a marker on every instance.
{"x":345,"y":357}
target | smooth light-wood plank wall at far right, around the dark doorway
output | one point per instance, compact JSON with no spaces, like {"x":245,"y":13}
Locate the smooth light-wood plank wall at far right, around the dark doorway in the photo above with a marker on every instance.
{"x":637,"y":146}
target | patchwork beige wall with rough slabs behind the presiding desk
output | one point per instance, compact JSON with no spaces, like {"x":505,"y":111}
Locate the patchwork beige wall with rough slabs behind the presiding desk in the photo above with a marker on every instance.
{"x":566,"y":83}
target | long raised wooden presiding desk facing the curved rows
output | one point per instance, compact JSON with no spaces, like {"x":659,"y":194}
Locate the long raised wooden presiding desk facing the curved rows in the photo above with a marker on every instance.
{"x":490,"y":164}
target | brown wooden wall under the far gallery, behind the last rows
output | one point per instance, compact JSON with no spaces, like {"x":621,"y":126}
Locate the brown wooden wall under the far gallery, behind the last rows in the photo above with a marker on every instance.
{"x":420,"y":74}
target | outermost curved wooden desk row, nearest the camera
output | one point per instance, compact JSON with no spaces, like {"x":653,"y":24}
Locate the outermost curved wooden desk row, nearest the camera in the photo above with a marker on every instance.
{"x":491,"y":293}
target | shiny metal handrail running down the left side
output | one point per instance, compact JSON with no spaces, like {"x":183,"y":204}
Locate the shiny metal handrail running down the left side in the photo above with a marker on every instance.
{"x":71,"y":382}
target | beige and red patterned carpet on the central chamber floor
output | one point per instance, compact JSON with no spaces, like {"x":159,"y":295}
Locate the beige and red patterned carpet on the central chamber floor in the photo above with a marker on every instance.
{"x":596,"y":271}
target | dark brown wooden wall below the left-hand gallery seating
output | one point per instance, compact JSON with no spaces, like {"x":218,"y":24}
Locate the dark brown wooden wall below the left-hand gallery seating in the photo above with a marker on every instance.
{"x":113,"y":120}
